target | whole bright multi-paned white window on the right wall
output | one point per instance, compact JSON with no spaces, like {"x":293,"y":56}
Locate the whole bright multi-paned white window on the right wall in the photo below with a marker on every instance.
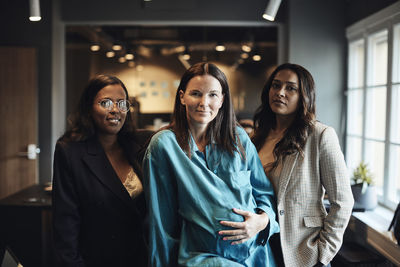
{"x":373,"y":100}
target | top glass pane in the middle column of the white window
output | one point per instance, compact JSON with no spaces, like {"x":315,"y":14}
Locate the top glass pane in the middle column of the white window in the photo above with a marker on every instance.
{"x":377,"y":67}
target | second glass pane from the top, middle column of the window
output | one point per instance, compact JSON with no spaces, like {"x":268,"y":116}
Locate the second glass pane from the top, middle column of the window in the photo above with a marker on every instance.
{"x":376,"y":113}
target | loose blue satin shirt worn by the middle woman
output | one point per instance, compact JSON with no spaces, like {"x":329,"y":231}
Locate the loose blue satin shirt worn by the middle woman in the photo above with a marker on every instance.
{"x":188,"y":197}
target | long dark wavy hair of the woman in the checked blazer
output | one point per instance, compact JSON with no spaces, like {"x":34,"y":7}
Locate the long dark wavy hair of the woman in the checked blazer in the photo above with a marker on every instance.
{"x":296,"y":135}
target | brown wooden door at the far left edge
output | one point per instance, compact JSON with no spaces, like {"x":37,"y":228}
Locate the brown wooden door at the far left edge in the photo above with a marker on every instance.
{"x":18,"y":118}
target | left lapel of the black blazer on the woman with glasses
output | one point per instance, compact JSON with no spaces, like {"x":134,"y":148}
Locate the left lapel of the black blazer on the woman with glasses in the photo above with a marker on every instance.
{"x":98,"y":163}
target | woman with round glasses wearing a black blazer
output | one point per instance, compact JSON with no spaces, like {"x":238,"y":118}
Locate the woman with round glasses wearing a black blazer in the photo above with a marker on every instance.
{"x":98,"y":204}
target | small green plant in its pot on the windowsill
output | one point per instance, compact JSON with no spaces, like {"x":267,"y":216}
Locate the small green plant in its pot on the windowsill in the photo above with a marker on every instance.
{"x":364,"y":191}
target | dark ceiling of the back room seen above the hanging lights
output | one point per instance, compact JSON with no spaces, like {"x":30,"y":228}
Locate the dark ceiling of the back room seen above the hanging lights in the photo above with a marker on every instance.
{"x":199,"y":40}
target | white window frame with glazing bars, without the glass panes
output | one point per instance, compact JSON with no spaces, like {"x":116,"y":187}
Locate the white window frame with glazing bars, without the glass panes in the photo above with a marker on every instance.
{"x":385,"y":19}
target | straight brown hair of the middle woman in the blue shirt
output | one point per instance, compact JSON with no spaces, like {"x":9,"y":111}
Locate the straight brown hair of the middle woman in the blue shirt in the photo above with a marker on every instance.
{"x":222,"y":129}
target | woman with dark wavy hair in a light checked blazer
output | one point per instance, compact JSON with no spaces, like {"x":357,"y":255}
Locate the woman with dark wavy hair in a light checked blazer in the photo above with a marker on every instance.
{"x":303,"y":160}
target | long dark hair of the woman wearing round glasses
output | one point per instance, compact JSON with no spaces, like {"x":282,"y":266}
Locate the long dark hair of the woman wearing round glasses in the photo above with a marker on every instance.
{"x":81,"y":124}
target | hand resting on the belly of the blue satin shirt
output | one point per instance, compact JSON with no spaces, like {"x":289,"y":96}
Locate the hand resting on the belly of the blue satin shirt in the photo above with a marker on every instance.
{"x":252,"y":224}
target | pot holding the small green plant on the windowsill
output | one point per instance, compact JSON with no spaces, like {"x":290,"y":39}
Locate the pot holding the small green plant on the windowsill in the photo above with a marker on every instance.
{"x":367,"y":200}
